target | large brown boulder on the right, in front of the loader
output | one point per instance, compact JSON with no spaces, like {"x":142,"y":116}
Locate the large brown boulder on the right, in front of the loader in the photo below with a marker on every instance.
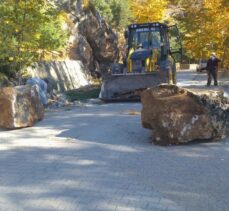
{"x":179,"y":115}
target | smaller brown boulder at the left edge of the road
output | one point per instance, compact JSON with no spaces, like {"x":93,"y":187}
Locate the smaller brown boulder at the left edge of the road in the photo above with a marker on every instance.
{"x":20,"y":107}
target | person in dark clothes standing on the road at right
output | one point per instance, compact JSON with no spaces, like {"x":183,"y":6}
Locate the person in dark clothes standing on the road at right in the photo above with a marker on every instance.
{"x":212,"y":68}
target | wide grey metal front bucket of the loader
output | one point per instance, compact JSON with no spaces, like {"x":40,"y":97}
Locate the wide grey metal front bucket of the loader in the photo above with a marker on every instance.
{"x":129,"y":86}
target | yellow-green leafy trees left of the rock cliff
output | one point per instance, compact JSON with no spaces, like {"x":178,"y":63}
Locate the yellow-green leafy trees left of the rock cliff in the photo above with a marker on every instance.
{"x":28,"y":30}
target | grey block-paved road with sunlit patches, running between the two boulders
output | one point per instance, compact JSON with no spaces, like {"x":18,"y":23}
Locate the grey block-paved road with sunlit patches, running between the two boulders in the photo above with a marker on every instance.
{"x":98,"y":157}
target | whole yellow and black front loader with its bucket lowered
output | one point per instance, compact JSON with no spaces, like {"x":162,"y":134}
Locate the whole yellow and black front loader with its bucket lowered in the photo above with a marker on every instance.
{"x":151,"y":53}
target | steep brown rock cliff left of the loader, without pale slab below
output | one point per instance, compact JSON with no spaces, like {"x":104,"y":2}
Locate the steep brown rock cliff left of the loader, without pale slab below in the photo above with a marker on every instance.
{"x":92,"y":40}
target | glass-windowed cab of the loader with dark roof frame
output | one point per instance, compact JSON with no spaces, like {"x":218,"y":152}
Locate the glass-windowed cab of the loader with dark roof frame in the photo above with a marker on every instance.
{"x":155,"y":37}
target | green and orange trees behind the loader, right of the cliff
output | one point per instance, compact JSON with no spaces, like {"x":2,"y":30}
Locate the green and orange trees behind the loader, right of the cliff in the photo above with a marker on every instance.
{"x":204,"y":24}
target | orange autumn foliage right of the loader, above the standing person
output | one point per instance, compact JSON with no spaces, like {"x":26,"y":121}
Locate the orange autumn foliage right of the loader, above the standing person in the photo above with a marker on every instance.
{"x":206,"y":26}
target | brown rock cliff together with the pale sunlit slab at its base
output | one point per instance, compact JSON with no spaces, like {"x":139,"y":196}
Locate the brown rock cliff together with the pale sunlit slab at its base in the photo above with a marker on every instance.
{"x":93,"y":48}
